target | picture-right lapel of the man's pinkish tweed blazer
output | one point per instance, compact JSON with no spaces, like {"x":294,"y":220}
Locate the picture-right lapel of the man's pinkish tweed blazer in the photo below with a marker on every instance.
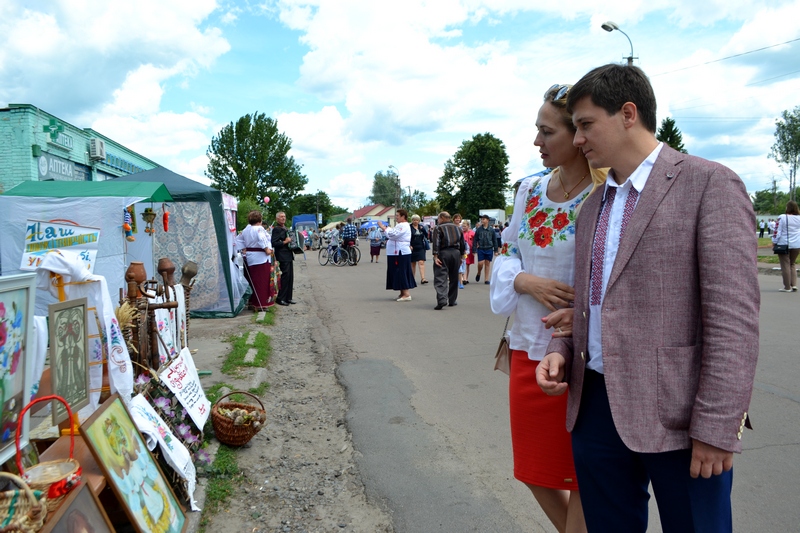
{"x":663,"y":174}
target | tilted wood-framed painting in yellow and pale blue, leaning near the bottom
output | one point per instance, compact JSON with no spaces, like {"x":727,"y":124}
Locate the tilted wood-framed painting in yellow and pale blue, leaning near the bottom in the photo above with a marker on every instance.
{"x":120,"y":451}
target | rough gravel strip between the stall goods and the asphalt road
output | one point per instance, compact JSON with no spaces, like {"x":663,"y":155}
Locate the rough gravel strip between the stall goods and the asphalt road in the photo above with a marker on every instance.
{"x":299,"y":473}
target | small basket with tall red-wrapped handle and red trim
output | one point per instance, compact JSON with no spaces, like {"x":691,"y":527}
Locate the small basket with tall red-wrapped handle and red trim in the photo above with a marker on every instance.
{"x":54,"y":478}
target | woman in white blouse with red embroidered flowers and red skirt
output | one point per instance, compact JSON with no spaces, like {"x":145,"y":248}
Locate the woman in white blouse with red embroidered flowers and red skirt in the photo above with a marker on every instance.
{"x":533,"y":278}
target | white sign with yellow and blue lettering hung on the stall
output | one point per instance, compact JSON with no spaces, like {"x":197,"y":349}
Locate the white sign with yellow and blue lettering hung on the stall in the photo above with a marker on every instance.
{"x":43,"y":237}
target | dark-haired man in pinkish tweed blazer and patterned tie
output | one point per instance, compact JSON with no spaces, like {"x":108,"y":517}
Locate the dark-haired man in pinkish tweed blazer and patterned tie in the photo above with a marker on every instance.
{"x":661,"y":364}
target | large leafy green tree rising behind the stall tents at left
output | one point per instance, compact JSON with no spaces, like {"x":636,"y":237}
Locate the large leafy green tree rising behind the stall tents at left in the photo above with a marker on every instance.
{"x":250,"y":159}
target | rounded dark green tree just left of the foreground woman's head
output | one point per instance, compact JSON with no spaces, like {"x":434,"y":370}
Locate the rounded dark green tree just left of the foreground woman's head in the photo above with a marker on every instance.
{"x":475,"y":178}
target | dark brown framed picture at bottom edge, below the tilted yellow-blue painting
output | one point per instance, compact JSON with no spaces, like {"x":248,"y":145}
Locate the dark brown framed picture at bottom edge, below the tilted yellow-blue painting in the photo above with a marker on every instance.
{"x":80,"y":511}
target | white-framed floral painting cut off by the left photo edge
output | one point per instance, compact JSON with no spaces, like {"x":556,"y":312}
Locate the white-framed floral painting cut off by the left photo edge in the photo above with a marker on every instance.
{"x":17,"y":295}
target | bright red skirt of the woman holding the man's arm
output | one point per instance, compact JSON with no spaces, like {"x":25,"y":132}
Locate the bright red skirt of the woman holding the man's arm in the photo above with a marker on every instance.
{"x":542,"y":445}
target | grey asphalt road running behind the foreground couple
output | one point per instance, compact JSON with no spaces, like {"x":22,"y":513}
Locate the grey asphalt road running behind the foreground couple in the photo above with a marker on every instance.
{"x":429,"y":416}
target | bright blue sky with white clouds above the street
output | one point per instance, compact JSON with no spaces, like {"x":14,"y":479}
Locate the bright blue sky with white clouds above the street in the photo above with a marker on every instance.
{"x":359,"y":85}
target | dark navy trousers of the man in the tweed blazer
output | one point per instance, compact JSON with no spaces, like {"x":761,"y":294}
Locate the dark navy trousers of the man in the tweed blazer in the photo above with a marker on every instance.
{"x":614,"y":480}
